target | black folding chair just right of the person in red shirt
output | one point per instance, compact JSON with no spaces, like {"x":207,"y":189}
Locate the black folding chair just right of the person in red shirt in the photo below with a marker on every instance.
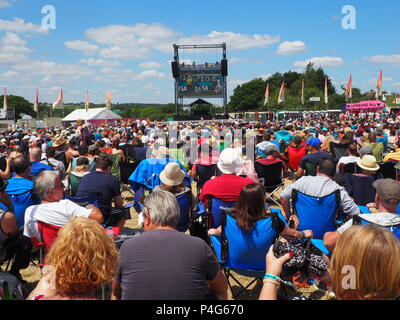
{"x":271,"y":177}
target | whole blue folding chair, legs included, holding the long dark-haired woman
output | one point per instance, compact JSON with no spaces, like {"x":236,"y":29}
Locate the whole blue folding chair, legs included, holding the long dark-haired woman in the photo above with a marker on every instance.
{"x":244,"y":252}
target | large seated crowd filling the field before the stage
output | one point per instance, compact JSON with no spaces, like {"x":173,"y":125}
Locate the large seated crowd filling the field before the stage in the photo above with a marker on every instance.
{"x":176,"y":172}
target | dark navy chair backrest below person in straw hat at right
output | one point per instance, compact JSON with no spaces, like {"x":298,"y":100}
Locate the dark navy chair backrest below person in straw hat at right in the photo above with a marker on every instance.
{"x":360,"y":188}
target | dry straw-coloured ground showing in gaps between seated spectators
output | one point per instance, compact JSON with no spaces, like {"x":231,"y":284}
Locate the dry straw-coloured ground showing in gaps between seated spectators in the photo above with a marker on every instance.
{"x":32,"y":273}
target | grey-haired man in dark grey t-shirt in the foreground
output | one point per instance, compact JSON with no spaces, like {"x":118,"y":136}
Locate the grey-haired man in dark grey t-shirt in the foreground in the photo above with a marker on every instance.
{"x":164,"y":264}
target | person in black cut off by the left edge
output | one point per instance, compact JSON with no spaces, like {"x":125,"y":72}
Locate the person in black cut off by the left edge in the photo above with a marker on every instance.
{"x":13,"y":245}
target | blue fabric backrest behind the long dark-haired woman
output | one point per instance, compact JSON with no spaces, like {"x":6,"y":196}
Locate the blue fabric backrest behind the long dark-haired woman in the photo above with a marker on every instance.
{"x":246,"y":250}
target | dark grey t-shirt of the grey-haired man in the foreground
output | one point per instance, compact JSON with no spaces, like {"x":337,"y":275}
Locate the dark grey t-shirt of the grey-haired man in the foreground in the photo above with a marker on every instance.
{"x":165,"y":265}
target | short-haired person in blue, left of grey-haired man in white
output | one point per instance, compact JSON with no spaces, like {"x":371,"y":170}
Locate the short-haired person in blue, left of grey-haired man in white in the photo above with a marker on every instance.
{"x":21,"y":187}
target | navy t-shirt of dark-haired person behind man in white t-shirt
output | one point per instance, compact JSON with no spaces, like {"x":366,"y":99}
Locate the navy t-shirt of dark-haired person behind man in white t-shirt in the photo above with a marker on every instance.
{"x":99,"y":182}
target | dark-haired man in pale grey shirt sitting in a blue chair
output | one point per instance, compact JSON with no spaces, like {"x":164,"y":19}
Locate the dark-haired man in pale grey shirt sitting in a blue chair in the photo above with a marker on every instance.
{"x":319,"y":186}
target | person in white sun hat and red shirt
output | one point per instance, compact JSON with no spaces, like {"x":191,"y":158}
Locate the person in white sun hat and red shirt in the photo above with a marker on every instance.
{"x":226,"y":187}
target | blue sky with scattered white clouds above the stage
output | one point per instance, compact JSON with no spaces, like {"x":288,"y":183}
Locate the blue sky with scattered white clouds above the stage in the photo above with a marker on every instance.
{"x":126,"y":46}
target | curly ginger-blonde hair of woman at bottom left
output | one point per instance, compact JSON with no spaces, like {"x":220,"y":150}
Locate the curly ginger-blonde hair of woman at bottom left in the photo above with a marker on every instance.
{"x":83,"y":257}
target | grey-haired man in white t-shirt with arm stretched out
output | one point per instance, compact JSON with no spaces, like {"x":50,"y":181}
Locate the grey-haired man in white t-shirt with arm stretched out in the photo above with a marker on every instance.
{"x":54,"y":210}
